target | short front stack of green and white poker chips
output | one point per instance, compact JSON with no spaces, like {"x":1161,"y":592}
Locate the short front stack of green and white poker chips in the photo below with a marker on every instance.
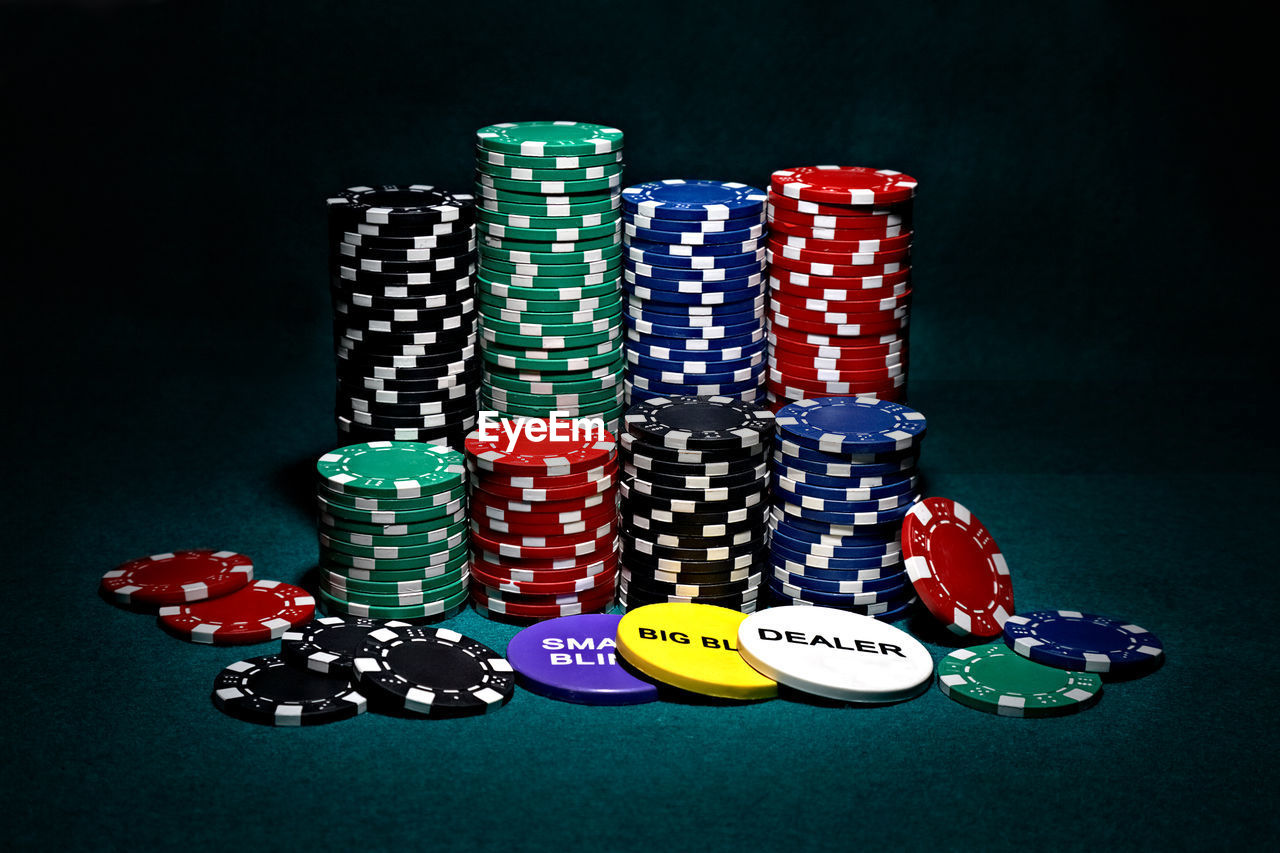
{"x":394,"y":531}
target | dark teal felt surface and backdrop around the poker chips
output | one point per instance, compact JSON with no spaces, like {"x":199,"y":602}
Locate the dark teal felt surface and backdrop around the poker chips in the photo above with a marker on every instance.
{"x":1091,"y":337}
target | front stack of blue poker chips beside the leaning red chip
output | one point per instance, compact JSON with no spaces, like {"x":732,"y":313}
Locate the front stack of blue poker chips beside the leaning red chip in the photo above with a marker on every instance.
{"x":844,"y":478}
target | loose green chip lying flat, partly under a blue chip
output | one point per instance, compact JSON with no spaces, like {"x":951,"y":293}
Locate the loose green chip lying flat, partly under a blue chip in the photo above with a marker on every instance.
{"x":998,"y":681}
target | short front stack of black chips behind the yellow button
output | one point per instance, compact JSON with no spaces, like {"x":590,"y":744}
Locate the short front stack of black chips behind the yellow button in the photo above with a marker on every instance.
{"x":694,"y":501}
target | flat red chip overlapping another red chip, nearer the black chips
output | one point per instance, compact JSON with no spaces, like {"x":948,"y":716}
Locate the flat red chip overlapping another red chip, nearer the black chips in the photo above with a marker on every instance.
{"x":254,"y":614}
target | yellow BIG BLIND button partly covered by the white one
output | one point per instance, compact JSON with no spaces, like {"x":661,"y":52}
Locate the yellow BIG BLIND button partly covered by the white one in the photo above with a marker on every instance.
{"x":692,"y":647}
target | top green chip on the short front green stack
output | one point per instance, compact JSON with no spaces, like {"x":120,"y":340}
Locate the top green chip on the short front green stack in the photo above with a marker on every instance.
{"x":392,"y":469}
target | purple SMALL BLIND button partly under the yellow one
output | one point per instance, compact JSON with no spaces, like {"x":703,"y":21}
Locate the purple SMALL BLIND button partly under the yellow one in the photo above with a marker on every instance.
{"x":574,"y":659}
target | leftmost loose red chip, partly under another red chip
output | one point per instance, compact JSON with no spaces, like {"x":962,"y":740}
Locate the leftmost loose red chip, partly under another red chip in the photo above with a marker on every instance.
{"x":177,"y":577}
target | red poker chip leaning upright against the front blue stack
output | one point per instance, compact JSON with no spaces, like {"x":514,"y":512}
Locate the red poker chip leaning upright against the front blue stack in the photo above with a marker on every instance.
{"x":956,"y":567}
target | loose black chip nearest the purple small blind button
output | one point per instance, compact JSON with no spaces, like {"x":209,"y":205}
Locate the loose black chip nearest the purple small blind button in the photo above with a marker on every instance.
{"x":431,"y":672}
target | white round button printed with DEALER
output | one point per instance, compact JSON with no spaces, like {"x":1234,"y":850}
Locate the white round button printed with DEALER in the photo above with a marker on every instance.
{"x":836,"y":655}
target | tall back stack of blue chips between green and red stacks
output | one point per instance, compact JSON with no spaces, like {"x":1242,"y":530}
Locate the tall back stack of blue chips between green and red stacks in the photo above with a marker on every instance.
{"x":696,"y":284}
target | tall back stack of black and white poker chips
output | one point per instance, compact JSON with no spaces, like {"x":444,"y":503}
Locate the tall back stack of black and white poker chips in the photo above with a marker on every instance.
{"x":405,"y":320}
